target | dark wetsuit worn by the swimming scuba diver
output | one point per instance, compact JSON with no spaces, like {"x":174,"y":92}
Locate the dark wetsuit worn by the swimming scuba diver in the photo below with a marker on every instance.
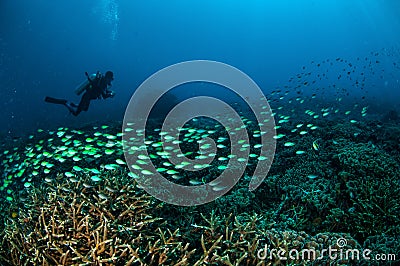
{"x":97,"y":89}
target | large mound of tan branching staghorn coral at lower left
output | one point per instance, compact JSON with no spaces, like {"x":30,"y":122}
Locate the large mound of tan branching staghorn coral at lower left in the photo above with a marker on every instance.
{"x":72,"y":223}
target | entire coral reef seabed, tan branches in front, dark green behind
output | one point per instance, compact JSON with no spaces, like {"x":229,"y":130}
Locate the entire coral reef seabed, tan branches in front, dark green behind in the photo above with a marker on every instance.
{"x":67,"y":198}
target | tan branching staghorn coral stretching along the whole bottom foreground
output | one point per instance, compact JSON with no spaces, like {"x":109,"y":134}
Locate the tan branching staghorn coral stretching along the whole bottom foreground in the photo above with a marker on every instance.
{"x":68,"y":223}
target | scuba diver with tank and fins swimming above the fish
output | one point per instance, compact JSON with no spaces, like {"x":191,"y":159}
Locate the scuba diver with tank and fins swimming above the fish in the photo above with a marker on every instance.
{"x":96,"y":86}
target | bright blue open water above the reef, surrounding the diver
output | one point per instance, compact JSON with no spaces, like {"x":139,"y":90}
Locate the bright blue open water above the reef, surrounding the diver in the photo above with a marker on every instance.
{"x":46,"y":46}
